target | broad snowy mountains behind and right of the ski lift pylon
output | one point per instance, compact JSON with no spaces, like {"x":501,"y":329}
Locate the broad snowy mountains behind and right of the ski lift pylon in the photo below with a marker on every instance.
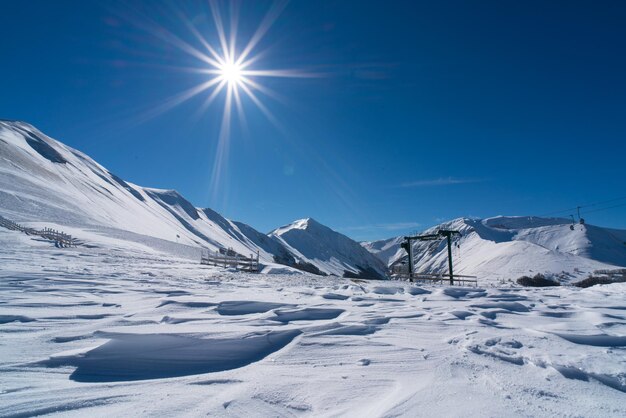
{"x":505,"y":248}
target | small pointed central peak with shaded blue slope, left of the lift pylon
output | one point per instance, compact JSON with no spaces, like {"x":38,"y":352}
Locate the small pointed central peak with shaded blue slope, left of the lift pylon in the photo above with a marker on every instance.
{"x":328,"y":251}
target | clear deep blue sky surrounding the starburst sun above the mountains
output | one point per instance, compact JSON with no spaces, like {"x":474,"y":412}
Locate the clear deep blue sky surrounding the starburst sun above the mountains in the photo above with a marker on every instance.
{"x":423,"y":110}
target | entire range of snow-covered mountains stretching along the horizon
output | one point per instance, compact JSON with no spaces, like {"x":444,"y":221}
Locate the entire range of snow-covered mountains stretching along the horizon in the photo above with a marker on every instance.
{"x":43,"y":181}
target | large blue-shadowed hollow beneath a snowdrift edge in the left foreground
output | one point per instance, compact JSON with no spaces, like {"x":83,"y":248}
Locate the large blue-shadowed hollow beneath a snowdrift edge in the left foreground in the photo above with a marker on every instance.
{"x":154,"y":356}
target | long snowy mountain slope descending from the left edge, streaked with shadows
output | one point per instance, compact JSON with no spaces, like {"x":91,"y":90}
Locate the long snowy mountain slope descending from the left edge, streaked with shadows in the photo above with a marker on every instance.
{"x":43,"y":180}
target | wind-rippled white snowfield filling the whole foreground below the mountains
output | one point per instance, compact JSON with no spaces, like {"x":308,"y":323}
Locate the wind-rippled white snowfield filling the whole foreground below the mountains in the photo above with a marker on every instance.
{"x":124,"y":330}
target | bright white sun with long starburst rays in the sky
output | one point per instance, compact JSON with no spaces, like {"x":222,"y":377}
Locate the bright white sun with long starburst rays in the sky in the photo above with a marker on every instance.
{"x":230,"y":72}
